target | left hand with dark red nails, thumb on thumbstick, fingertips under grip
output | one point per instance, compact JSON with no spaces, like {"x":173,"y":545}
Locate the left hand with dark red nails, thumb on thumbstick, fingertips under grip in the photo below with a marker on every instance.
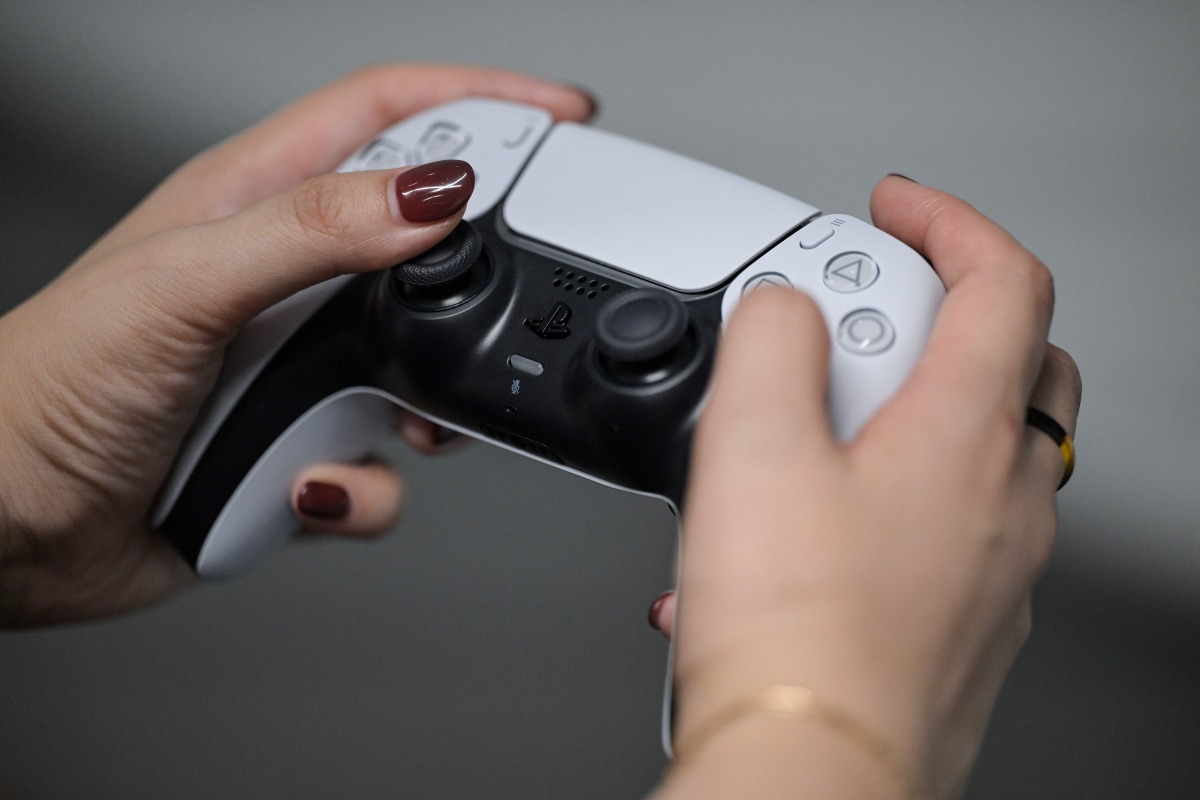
{"x":105,"y":370}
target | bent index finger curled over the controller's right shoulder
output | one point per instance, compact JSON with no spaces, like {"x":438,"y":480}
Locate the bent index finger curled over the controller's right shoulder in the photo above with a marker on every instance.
{"x":989,"y":338}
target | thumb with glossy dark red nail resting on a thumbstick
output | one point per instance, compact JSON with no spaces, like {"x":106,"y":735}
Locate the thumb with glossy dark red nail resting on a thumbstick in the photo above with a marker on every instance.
{"x":218,"y":276}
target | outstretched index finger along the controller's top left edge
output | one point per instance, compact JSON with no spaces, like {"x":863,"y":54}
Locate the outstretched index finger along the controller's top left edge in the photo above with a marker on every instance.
{"x":319,"y":133}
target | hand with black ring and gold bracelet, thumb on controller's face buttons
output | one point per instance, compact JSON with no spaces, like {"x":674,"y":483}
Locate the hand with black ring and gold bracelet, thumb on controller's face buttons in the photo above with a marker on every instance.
{"x":890,"y":575}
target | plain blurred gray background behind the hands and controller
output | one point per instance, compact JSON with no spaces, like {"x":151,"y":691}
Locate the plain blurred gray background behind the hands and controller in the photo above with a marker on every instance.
{"x":496,"y":646}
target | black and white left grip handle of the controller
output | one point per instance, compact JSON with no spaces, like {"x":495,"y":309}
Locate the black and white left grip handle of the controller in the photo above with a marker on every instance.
{"x":311,"y":402}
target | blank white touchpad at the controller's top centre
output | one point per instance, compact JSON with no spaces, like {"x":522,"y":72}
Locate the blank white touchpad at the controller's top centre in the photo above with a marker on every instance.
{"x":645,"y":210}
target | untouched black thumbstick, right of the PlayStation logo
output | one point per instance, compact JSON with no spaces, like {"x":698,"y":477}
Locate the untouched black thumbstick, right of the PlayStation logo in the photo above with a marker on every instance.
{"x":639,"y":332}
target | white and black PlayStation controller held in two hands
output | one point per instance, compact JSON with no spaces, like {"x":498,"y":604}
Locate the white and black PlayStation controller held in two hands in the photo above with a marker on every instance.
{"x":573,"y":317}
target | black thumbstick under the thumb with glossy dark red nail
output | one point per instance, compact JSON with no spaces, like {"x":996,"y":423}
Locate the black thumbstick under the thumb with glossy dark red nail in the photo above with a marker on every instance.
{"x":447,"y":275}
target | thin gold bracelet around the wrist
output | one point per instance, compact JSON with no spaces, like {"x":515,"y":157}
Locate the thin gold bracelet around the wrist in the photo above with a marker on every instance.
{"x":799,"y":703}
